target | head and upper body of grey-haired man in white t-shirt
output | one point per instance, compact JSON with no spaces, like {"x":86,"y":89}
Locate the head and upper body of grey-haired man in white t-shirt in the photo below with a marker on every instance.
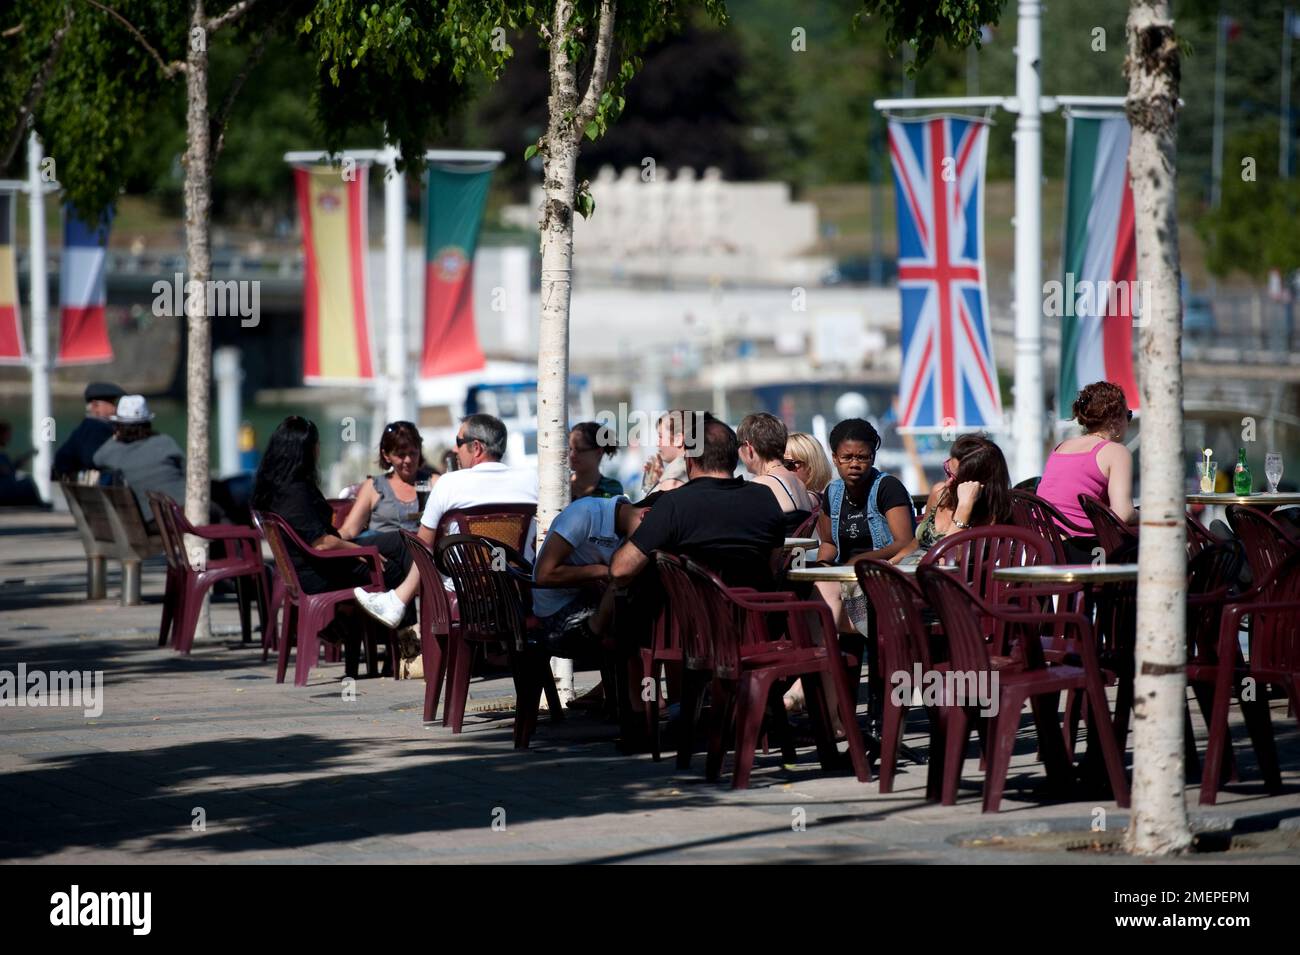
{"x":482,"y":480}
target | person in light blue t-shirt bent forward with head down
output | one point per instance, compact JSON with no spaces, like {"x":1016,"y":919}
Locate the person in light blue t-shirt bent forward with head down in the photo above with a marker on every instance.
{"x":571,"y":601}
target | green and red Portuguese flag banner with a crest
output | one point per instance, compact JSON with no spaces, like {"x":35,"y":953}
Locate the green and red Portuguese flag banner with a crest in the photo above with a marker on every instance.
{"x":454,"y":209}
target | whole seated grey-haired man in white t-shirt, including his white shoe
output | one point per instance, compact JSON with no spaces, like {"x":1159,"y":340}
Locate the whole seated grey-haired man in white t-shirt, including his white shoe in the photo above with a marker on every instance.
{"x":482,"y":480}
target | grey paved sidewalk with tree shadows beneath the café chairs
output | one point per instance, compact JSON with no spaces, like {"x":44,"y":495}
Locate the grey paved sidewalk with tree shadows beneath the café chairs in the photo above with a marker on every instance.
{"x":287,"y":775}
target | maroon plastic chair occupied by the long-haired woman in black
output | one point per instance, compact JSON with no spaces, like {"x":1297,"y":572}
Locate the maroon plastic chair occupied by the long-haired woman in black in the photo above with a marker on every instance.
{"x":306,"y":615}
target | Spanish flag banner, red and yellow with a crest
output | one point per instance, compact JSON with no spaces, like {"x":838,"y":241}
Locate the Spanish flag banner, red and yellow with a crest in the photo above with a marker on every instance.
{"x":336,"y":292}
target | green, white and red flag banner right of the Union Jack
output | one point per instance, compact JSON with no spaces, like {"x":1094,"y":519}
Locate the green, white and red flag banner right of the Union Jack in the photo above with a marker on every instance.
{"x":1099,"y":288}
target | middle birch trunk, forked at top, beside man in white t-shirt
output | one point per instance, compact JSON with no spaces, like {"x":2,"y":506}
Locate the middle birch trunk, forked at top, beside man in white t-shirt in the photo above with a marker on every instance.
{"x":567,"y":120}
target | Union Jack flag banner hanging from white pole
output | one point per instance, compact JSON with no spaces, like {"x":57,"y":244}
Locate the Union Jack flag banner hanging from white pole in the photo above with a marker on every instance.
{"x":948,"y":379}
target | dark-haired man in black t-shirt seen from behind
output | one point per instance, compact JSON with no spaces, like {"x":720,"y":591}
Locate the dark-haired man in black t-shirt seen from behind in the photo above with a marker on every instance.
{"x":727,"y":524}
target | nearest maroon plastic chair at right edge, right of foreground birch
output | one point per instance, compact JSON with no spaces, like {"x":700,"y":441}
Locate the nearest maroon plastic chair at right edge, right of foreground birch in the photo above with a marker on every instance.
{"x":1273,"y":607}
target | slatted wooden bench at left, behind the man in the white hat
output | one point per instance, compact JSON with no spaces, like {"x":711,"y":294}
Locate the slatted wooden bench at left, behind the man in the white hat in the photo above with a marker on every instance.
{"x":112,"y":527}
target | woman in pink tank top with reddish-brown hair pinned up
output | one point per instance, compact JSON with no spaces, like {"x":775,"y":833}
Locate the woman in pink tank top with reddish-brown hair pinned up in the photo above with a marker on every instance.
{"x":1097,"y":463}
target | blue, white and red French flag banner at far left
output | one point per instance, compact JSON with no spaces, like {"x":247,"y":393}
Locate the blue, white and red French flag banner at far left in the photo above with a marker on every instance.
{"x":83,"y":328}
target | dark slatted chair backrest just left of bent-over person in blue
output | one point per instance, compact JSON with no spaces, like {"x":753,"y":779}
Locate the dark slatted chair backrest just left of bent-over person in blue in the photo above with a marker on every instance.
{"x":488,"y":598}
